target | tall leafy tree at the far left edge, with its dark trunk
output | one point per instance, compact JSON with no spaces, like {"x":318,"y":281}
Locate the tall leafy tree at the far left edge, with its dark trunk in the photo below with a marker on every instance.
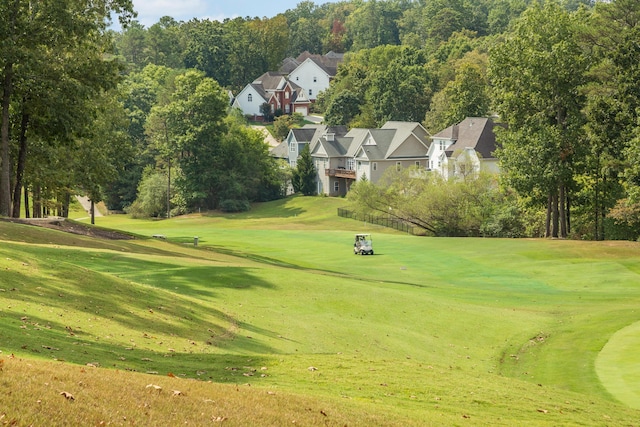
{"x":39,"y":39}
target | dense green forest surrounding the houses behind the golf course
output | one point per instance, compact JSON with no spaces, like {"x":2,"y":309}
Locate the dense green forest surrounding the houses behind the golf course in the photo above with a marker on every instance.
{"x":131,"y":116}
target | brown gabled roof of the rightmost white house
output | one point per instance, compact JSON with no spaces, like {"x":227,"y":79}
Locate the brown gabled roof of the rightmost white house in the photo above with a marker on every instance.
{"x":473,"y":132}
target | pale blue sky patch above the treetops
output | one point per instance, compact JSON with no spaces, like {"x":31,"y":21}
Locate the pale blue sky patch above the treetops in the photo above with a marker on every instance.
{"x":150,"y":11}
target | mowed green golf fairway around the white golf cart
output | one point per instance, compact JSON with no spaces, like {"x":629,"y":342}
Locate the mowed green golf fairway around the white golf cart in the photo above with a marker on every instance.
{"x":429,"y":331}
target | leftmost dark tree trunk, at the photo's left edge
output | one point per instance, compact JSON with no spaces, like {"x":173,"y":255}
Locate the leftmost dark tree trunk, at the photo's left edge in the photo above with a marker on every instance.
{"x":5,"y":170}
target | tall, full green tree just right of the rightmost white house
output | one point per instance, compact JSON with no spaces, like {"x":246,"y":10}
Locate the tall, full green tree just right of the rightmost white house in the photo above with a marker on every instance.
{"x":536,"y":73}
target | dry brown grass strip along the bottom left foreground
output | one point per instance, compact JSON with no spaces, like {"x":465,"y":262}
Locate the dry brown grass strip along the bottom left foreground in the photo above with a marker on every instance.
{"x":56,"y":394}
